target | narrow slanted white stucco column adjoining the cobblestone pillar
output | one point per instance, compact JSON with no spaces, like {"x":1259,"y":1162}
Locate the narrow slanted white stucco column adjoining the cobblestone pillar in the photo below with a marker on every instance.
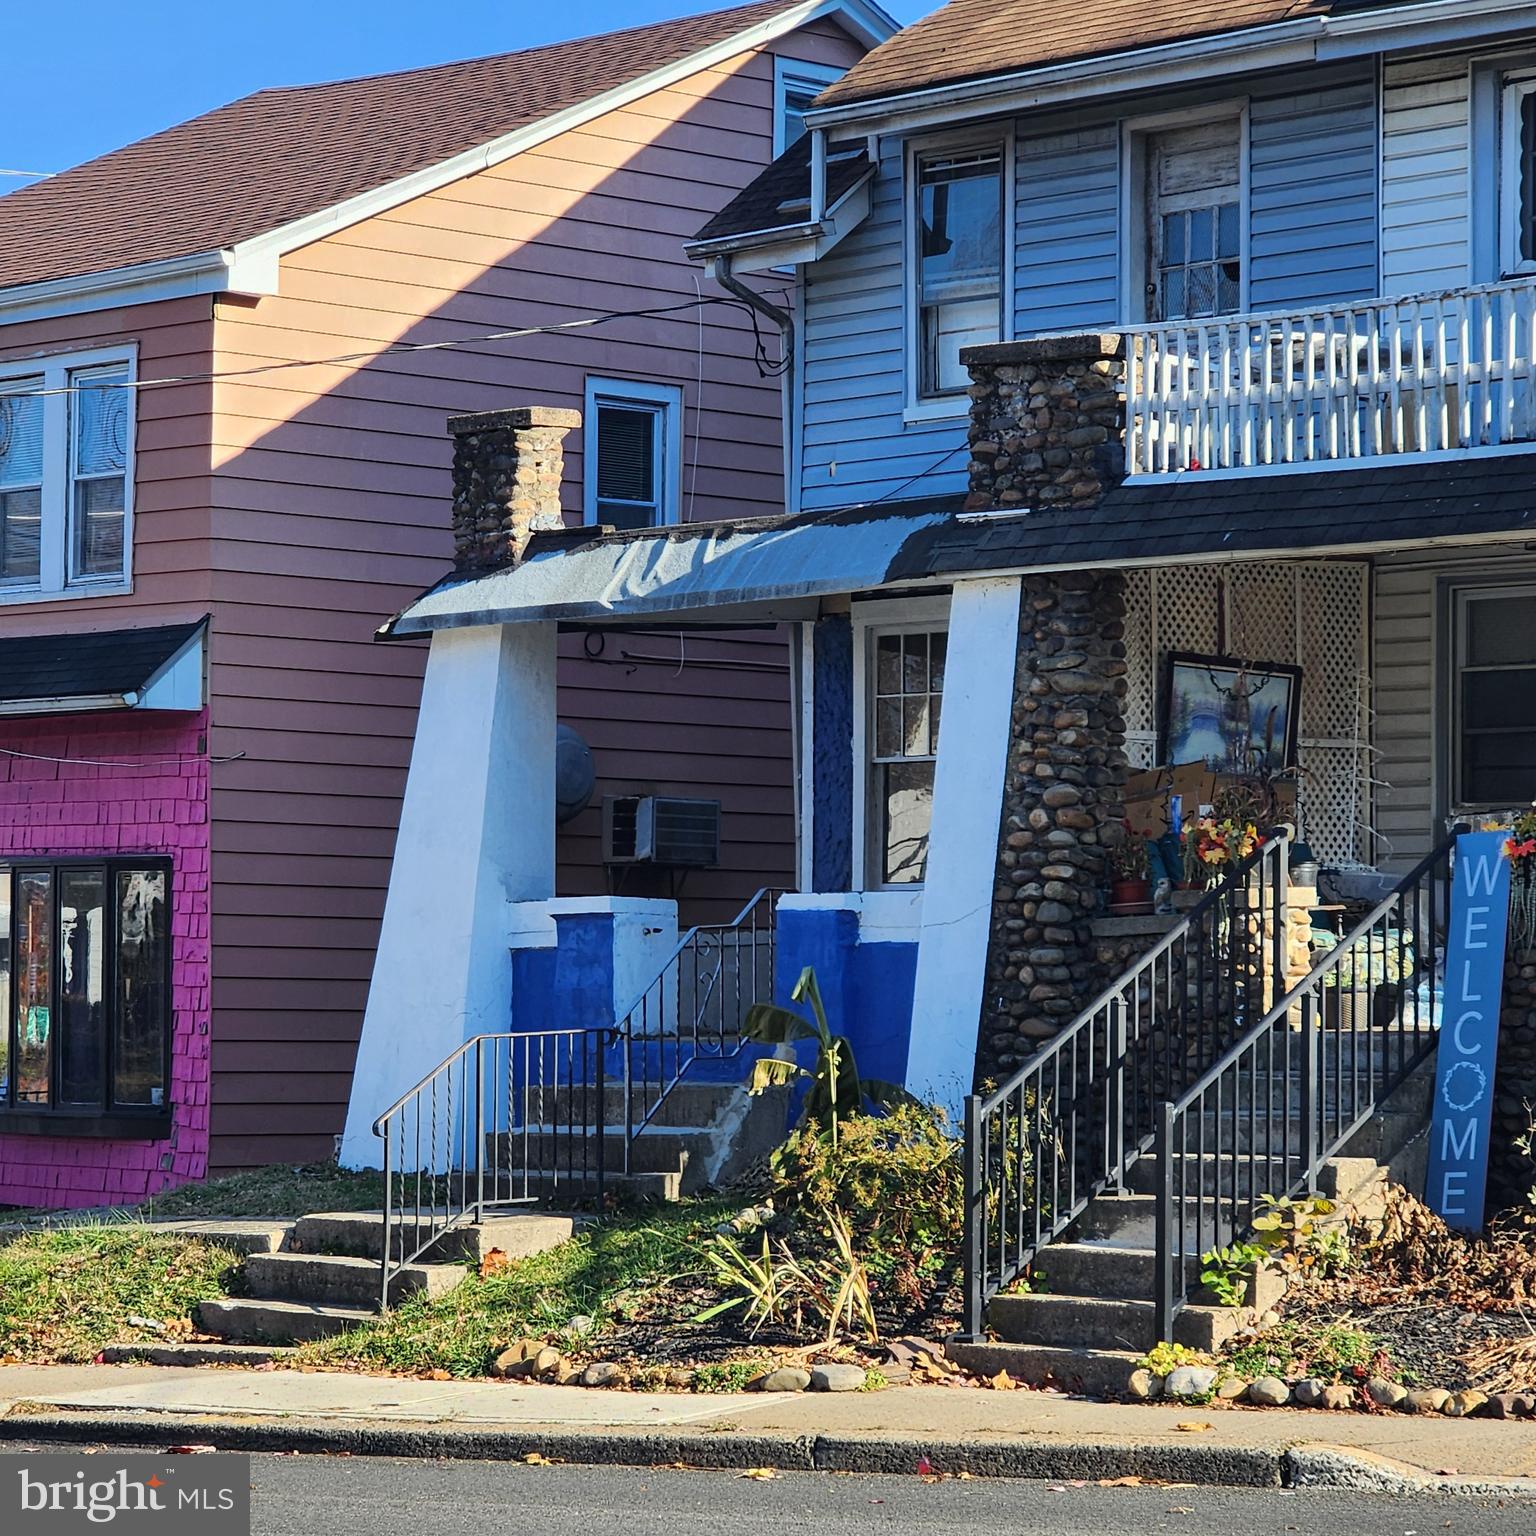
{"x":962,"y":844}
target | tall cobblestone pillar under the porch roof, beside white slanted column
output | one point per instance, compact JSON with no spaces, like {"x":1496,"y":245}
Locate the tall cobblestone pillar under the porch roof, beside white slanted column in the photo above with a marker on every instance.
{"x":1062,"y":812}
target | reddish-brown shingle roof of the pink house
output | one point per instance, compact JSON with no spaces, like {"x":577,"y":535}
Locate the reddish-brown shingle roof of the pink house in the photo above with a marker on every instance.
{"x":279,"y":156}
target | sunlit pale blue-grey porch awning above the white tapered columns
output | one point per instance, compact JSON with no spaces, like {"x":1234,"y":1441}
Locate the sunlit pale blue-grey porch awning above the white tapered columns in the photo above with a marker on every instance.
{"x":764,"y":569}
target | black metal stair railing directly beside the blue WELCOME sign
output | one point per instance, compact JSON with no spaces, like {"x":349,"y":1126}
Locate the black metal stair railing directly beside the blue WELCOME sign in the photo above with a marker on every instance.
{"x":1296,"y":1087}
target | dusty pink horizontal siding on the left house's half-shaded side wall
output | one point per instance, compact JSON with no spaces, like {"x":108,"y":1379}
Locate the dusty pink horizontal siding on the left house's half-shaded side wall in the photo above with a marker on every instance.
{"x":329,"y":514}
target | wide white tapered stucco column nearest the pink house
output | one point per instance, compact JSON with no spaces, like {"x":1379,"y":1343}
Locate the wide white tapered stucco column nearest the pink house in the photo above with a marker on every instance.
{"x":477,"y":832}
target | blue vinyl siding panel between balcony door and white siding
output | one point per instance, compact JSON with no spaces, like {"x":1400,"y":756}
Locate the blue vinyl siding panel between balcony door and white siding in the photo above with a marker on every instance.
{"x":1313,"y":196}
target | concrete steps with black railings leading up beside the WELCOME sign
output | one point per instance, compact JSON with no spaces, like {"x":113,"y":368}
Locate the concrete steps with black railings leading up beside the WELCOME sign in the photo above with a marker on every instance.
{"x":1093,"y":1316}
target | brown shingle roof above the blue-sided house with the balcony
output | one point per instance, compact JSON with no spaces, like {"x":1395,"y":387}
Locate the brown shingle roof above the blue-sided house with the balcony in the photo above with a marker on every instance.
{"x":973,"y":39}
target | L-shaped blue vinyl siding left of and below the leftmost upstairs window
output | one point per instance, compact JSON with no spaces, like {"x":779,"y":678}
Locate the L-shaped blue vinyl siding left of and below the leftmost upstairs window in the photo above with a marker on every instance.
{"x":855,"y":445}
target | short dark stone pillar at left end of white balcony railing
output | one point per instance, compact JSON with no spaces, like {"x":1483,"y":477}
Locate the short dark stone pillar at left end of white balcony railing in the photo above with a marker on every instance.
{"x":1048,"y":422}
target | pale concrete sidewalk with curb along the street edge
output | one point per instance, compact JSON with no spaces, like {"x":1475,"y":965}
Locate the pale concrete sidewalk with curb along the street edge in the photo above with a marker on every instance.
{"x":985,"y":1434}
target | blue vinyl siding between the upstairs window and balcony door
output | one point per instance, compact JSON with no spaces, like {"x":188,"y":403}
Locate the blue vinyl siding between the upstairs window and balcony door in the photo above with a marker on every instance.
{"x":1067,"y":202}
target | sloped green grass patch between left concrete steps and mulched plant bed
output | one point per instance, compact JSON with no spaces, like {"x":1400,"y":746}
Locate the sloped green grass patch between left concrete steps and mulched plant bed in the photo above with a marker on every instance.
{"x":611,"y":1270}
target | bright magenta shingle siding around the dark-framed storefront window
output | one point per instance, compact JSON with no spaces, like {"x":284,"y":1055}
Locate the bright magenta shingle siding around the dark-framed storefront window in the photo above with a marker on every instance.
{"x":134,"y":784}
